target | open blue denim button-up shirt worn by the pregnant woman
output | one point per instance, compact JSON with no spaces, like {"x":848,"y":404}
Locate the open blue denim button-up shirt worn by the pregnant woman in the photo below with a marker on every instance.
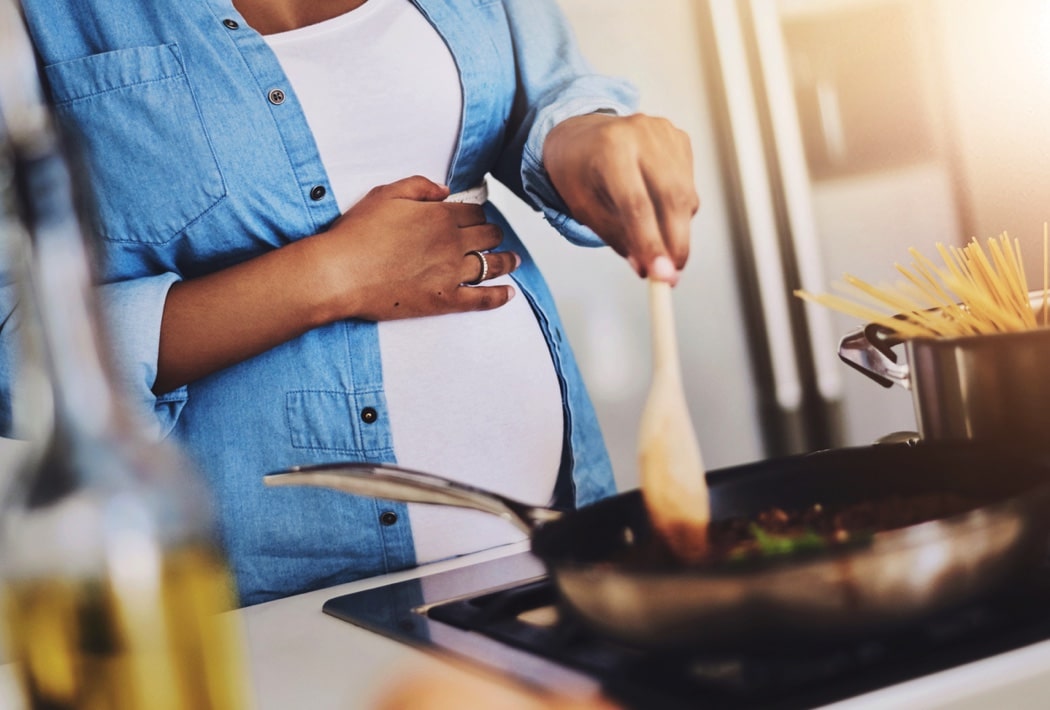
{"x":200,"y":158}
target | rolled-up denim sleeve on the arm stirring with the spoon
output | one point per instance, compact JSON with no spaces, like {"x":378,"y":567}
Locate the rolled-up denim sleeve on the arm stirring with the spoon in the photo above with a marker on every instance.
{"x":556,"y":82}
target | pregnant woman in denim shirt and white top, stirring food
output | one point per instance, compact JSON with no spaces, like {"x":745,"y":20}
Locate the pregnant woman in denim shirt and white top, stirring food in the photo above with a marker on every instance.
{"x":300,"y":266}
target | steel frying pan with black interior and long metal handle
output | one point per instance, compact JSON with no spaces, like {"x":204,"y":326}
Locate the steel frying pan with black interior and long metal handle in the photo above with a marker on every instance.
{"x":597,"y":556}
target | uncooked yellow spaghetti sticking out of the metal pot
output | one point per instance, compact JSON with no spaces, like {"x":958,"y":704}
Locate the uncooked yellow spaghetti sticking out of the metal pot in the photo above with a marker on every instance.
{"x":973,"y":293}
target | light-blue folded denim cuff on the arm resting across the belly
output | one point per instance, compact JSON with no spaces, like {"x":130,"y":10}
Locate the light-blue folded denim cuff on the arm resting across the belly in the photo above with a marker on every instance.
{"x":134,"y":310}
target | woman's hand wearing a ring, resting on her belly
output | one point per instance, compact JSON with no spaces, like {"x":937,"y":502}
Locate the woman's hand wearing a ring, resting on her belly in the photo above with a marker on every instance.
{"x":403,"y":253}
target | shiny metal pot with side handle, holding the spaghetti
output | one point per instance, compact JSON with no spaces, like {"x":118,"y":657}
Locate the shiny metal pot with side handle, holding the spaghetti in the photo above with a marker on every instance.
{"x":984,"y":388}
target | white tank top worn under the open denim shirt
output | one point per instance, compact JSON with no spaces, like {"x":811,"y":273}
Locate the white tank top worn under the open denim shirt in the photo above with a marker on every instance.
{"x":472,"y":396}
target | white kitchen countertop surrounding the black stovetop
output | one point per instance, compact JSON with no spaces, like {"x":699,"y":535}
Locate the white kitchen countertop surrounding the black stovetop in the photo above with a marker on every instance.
{"x":298,"y":653}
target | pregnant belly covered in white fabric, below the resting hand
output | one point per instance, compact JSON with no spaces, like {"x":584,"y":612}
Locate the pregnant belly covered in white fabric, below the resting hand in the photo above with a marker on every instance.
{"x":475,"y":398}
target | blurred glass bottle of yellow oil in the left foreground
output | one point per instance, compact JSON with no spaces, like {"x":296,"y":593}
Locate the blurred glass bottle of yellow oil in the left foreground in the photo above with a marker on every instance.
{"x":114,"y":581}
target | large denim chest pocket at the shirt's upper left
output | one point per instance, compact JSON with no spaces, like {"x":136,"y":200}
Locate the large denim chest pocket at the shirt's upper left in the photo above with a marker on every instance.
{"x":146,"y":154}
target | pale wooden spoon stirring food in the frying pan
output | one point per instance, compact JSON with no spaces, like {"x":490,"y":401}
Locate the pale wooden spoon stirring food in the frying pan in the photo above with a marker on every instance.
{"x":674,"y":482}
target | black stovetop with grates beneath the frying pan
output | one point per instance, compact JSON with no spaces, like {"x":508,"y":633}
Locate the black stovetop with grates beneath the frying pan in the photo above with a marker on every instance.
{"x":506,"y":615}
